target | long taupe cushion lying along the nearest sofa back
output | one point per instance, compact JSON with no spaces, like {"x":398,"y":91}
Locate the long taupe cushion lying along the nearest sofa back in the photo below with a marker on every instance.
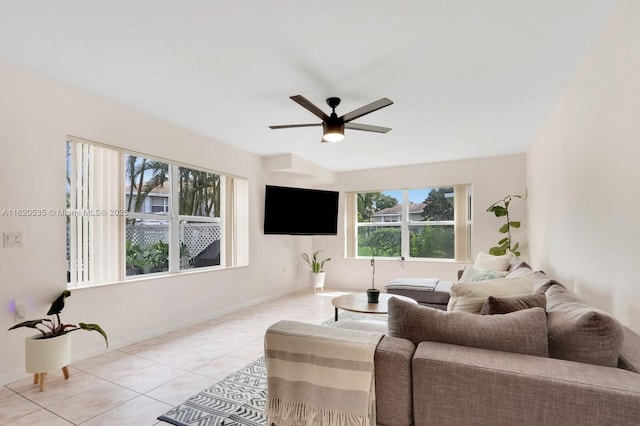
{"x":523,"y":332}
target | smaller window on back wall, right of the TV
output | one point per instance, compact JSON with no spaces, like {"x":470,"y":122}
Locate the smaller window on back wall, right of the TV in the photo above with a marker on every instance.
{"x":426,"y":223}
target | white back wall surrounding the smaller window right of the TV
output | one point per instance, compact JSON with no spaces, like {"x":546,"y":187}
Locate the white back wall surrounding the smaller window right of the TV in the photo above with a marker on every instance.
{"x":491,"y":179}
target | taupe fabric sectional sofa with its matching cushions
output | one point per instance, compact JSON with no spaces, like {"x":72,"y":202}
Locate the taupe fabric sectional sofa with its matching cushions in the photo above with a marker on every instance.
{"x":568,"y":364}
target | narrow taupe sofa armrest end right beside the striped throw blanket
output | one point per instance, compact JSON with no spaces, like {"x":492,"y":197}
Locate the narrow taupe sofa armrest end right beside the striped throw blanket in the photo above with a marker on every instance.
{"x":393,"y":381}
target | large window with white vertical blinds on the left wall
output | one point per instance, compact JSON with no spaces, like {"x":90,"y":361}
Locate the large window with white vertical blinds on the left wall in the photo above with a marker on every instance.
{"x":131,"y":215}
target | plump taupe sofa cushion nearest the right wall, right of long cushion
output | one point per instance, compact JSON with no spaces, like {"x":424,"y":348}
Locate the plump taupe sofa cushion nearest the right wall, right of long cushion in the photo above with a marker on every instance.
{"x":580,"y":332}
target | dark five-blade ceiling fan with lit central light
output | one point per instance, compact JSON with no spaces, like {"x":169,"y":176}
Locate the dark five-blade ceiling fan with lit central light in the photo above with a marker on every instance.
{"x":332,"y":125}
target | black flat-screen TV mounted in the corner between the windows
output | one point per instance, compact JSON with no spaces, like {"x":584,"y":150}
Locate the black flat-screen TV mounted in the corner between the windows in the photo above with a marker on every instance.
{"x":298,"y":211}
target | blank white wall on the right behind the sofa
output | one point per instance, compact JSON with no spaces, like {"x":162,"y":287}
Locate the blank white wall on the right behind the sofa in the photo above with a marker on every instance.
{"x":584,"y":175}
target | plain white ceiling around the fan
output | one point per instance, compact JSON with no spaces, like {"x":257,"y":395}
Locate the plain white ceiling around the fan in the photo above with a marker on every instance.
{"x":468,"y":78}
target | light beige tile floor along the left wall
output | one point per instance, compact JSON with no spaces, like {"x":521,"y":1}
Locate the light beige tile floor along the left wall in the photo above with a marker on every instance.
{"x":135,"y":384}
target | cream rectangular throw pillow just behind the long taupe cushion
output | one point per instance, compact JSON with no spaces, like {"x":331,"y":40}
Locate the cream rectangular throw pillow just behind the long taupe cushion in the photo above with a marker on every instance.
{"x":469,"y":297}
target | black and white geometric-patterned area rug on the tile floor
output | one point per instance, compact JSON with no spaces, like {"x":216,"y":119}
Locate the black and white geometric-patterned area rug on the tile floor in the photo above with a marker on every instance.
{"x":238,"y":399}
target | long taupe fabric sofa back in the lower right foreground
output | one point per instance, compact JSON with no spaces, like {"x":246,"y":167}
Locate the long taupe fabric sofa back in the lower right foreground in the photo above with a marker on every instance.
{"x":454,"y":385}
